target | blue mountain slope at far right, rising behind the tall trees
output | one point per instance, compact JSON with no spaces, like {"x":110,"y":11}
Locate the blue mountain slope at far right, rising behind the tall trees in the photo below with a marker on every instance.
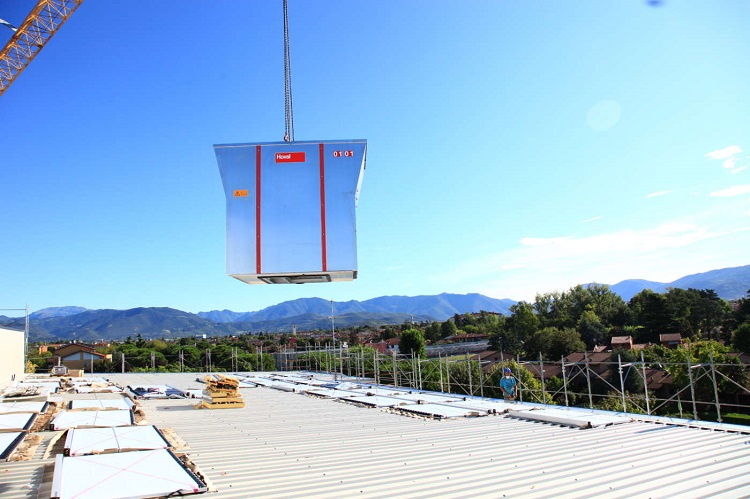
{"x":730,"y":283}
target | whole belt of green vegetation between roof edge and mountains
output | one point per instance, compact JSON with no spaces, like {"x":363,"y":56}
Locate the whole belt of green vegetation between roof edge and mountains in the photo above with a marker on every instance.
{"x":554,"y":326}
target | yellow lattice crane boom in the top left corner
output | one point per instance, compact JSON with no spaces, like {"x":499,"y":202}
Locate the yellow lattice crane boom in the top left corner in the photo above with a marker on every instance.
{"x":38,"y":27}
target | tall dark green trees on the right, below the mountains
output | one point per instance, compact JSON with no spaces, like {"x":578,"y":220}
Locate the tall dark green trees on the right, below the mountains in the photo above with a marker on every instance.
{"x":559,"y":323}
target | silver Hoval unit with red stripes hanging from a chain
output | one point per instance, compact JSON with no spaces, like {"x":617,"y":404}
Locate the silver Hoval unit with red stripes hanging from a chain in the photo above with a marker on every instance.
{"x":291,"y":210}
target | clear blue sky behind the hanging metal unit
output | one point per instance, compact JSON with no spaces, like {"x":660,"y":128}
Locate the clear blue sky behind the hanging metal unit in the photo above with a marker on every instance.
{"x":514,"y":148}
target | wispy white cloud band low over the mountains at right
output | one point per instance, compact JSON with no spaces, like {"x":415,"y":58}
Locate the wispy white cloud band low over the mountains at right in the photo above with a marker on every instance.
{"x":541,"y":265}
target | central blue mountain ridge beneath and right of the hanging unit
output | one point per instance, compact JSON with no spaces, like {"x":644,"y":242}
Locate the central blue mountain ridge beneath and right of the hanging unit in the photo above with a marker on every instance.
{"x":438,"y":307}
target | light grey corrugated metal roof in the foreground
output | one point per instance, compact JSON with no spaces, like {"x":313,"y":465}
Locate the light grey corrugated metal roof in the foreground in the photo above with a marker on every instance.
{"x":285,"y":444}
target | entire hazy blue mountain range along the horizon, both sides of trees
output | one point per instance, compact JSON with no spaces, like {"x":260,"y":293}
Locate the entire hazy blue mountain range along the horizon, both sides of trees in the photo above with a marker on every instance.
{"x":77,"y":323}
